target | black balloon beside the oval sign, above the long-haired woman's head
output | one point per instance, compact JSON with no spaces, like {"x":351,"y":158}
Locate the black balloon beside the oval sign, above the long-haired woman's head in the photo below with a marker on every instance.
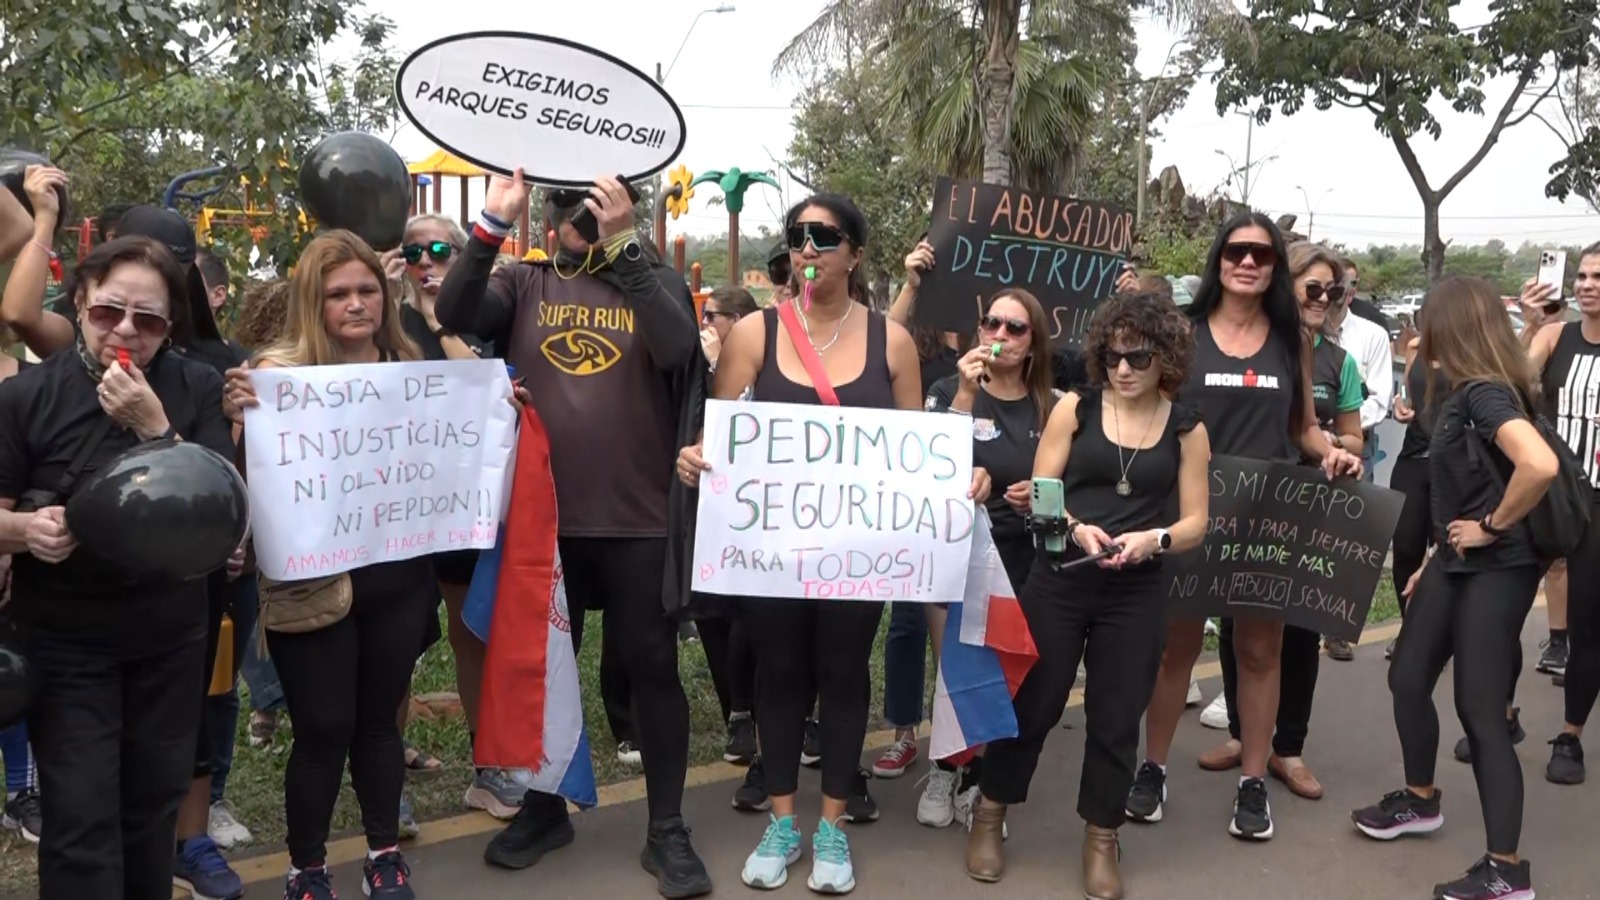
{"x":359,"y":183}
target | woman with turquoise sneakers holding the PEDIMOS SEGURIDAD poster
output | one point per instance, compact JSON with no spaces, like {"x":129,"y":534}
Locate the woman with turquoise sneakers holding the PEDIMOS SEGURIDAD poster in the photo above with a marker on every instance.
{"x":807,"y":649}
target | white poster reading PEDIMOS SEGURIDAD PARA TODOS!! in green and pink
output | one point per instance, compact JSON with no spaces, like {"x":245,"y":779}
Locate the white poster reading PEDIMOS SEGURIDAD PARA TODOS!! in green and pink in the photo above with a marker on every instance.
{"x":834,"y":504}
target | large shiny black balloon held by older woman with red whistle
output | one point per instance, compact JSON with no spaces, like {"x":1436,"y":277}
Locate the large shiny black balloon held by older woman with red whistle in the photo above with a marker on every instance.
{"x":164,"y":512}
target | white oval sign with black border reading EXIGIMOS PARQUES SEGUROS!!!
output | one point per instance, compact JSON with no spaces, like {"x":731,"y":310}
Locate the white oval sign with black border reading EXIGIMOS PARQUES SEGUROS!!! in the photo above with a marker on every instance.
{"x":561,"y":111}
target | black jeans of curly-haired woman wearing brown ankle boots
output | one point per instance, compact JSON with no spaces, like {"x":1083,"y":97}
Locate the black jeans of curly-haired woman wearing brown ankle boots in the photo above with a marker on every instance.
{"x":1116,"y":624}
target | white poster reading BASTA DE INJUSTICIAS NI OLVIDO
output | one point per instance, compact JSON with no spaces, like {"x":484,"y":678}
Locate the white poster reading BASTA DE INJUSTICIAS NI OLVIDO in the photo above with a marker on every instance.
{"x":353,"y":465}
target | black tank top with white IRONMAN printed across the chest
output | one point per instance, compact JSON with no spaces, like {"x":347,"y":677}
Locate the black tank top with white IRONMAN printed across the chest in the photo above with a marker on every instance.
{"x":1246,"y":403}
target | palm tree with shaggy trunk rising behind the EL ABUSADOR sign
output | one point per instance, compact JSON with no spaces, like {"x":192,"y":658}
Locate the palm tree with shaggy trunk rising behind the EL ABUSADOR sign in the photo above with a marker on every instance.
{"x":1004,"y":90}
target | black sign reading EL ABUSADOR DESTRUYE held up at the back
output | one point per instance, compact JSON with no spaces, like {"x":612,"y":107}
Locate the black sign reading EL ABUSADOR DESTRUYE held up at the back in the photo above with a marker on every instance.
{"x":988,"y":238}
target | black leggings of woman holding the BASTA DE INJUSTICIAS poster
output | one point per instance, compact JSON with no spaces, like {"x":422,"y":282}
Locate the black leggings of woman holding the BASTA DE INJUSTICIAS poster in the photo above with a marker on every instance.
{"x":343,"y":686}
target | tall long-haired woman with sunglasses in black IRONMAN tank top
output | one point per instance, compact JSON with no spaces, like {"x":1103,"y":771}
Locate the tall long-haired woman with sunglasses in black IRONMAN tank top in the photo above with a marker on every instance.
{"x":1252,"y":385}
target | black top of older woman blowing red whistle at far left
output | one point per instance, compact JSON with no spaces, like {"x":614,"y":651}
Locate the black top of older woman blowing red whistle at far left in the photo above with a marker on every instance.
{"x":46,"y":417}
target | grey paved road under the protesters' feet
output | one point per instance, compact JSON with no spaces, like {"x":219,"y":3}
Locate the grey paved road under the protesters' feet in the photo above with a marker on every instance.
{"x":1318,"y":856}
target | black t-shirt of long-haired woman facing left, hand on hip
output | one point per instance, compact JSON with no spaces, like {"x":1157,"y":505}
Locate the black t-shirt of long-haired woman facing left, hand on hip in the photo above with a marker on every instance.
{"x":1463,"y":484}
